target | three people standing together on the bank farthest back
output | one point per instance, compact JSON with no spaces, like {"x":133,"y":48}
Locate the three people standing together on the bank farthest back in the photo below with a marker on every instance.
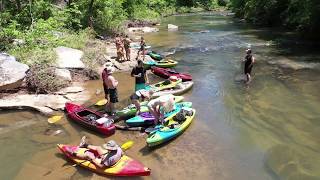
{"x":123,"y":48}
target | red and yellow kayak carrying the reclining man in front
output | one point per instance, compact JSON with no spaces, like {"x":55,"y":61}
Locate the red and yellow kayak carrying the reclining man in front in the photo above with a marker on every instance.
{"x":126,"y":166}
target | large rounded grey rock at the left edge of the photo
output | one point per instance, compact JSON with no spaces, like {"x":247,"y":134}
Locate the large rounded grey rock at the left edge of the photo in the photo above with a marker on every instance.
{"x":12,"y":72}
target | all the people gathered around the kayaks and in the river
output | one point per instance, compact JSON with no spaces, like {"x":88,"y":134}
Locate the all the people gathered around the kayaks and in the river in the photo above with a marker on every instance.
{"x":110,"y":153}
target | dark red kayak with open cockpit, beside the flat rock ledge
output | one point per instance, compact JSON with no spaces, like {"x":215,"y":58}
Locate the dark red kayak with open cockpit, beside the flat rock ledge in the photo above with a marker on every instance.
{"x":90,"y":119}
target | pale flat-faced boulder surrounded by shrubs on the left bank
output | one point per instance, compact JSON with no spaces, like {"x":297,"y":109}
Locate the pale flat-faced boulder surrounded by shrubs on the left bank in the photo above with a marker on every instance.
{"x":69,"y":58}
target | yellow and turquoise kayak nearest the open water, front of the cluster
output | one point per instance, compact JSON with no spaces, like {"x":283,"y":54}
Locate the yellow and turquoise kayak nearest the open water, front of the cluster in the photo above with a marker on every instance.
{"x":169,"y":131}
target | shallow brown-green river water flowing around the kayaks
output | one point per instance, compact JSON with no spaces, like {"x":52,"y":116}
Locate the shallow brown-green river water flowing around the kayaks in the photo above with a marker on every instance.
{"x":266,"y":130}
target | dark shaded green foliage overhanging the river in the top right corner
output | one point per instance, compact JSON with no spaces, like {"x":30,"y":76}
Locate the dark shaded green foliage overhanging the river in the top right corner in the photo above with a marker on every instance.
{"x":296,"y":14}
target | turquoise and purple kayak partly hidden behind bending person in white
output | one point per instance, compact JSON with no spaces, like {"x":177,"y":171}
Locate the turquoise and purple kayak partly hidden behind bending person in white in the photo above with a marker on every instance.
{"x":147,"y":119}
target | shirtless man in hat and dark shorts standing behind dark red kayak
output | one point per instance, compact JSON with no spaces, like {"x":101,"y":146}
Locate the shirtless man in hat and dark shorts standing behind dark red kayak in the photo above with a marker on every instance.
{"x":110,"y":88}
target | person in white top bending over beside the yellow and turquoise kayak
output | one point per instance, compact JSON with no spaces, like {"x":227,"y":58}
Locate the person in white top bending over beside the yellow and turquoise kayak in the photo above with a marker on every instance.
{"x":161,"y":105}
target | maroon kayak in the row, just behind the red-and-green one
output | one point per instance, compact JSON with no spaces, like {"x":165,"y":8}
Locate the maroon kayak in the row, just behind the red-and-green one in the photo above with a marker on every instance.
{"x":166,"y":73}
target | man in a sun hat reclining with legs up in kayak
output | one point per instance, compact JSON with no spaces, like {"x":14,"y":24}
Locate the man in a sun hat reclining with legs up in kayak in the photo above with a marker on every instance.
{"x":108,"y":154}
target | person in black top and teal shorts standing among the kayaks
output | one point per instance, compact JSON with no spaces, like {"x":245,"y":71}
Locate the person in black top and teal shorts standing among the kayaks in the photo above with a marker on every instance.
{"x":141,"y":78}
